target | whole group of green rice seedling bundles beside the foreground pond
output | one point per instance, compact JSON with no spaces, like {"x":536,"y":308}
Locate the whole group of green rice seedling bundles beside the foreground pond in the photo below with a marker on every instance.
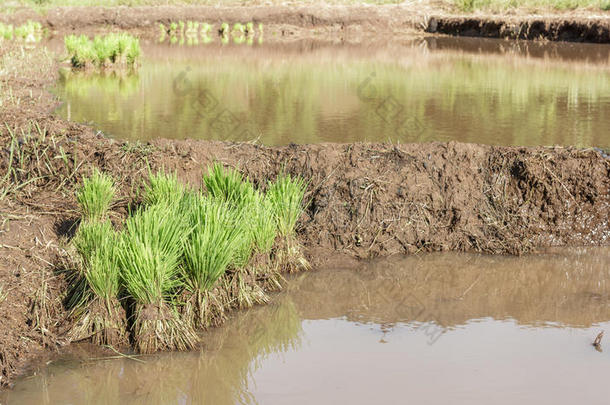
{"x":182,"y":258}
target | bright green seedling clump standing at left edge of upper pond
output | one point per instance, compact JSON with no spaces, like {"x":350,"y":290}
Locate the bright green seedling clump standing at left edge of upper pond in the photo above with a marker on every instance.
{"x":108,"y":51}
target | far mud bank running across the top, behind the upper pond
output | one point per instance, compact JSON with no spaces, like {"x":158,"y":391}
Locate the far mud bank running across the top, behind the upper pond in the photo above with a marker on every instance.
{"x":345,"y":23}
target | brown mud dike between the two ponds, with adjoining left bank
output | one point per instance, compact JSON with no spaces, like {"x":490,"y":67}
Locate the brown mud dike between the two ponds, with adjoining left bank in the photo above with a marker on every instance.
{"x":364,"y":200}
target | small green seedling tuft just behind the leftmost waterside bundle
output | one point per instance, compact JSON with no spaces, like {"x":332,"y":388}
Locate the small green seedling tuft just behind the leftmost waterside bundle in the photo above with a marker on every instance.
{"x":95,"y":196}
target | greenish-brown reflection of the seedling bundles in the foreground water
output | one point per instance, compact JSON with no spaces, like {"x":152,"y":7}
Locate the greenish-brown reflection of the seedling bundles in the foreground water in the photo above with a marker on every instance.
{"x":219,"y":374}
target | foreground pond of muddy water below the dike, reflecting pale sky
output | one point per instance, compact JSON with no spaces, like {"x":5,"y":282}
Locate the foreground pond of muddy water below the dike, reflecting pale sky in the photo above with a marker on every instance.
{"x":440,"y":328}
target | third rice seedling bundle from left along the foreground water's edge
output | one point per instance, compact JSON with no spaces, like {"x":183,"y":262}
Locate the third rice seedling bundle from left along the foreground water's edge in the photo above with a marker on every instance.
{"x":209,"y":249}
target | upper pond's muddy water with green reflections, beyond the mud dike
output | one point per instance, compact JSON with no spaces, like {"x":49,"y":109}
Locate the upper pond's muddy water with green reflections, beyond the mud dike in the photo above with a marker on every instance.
{"x":432,"y":89}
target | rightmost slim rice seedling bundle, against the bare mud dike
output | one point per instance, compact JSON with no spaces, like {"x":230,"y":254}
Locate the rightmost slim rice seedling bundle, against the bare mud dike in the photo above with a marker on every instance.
{"x":286,"y":198}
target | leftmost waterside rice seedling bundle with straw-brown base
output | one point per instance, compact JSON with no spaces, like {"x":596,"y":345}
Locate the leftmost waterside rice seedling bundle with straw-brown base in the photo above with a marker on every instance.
{"x":94,"y":296}
